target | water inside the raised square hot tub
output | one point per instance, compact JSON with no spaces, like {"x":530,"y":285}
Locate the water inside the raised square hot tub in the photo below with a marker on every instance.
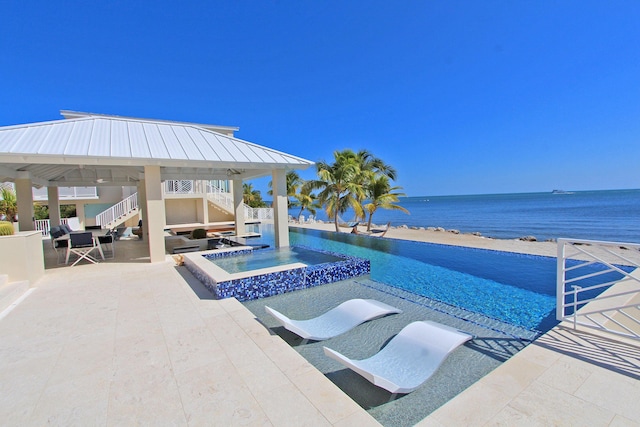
{"x":265,"y":258}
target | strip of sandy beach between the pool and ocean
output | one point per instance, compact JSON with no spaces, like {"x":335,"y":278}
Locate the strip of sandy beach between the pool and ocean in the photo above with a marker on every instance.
{"x":473,"y":241}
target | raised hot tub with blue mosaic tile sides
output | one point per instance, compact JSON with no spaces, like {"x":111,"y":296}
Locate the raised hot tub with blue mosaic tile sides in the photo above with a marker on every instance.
{"x":246,"y":275}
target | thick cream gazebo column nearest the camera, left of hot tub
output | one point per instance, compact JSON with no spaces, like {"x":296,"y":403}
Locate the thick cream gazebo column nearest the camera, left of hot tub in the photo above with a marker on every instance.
{"x":154,"y":214}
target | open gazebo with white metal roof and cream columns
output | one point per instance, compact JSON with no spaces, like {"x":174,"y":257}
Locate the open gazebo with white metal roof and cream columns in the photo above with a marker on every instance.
{"x":86,"y":149}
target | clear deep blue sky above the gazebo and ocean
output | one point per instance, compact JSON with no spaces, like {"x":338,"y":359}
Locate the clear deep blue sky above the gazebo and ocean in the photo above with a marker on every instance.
{"x":462,"y":97}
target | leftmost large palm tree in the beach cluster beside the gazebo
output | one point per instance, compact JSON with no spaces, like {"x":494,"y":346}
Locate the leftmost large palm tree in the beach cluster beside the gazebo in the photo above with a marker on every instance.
{"x":339,"y":185}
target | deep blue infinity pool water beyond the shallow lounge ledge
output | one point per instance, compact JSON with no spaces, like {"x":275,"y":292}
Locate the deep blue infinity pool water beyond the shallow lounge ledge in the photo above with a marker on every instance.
{"x":518,"y":289}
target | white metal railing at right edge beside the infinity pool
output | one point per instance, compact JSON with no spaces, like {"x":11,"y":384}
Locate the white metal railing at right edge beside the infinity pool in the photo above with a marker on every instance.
{"x":617,"y":309}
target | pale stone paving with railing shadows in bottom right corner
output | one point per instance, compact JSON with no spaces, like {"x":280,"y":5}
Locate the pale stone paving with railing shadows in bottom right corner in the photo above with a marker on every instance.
{"x":566,"y":377}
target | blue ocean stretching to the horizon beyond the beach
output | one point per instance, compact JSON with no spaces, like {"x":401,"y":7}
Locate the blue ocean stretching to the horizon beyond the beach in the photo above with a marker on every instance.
{"x":612,"y":215}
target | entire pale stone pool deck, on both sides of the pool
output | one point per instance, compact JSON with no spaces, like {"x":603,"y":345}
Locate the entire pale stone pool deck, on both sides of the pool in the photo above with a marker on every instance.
{"x":128,"y":342}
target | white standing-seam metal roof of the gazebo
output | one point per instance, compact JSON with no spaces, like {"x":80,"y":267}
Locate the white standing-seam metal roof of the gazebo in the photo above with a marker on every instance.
{"x":92,"y":149}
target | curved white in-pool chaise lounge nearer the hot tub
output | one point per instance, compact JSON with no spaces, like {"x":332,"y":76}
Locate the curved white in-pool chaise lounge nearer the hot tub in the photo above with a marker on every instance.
{"x":336,"y":321}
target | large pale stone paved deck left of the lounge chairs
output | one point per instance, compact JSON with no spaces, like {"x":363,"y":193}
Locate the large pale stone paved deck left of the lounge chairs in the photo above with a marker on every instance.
{"x":134,"y":343}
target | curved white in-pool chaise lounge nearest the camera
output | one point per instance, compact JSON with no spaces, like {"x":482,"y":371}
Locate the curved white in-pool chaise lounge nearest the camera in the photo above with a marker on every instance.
{"x":409,"y":359}
